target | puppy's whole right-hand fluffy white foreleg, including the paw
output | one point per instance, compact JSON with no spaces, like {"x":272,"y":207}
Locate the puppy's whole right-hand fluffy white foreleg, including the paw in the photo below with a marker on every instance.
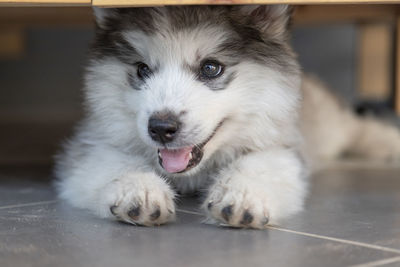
{"x":260,"y":188}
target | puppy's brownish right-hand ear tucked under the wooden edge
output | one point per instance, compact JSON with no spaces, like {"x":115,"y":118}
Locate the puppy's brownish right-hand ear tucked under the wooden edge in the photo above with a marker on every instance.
{"x":272,"y":20}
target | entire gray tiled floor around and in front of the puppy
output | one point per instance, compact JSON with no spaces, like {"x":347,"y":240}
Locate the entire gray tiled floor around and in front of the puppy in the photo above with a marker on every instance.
{"x":352,"y":219}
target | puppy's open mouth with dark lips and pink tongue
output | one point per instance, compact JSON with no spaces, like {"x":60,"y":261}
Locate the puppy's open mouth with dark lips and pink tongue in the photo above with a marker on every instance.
{"x":182,"y":159}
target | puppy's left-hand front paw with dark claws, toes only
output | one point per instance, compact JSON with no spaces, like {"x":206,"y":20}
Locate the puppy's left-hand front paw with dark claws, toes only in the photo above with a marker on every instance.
{"x":142,"y":200}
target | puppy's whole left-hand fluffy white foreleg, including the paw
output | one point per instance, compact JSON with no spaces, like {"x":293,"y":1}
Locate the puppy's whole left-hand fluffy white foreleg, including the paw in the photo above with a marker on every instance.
{"x":112,"y":184}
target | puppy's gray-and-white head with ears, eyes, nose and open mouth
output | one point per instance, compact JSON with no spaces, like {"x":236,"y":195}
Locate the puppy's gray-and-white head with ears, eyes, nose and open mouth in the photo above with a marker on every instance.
{"x":189,"y":81}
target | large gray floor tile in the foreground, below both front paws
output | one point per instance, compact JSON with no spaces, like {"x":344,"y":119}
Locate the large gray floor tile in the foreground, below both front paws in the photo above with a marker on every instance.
{"x":46,"y":235}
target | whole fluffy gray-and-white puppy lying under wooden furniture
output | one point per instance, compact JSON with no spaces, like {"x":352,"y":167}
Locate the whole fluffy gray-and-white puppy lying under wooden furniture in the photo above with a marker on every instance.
{"x":182,"y":99}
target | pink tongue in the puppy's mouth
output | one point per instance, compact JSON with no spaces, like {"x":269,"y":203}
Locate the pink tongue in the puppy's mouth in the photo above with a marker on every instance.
{"x":175,"y":160}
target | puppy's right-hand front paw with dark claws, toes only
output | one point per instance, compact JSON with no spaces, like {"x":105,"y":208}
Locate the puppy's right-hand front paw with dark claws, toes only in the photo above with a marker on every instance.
{"x":238,"y":205}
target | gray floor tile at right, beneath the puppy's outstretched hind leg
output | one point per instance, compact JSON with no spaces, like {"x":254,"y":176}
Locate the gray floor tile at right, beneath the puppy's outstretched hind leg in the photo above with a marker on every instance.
{"x":360,"y":205}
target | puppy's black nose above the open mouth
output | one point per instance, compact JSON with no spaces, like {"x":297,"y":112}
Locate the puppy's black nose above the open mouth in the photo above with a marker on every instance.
{"x":163,"y":127}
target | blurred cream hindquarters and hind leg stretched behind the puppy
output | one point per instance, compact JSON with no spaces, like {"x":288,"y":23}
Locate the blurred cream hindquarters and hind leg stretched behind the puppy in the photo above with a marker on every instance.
{"x":332,"y":130}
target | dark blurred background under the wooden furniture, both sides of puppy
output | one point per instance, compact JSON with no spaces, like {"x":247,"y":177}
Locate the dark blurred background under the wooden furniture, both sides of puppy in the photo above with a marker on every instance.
{"x":43,"y":53}
